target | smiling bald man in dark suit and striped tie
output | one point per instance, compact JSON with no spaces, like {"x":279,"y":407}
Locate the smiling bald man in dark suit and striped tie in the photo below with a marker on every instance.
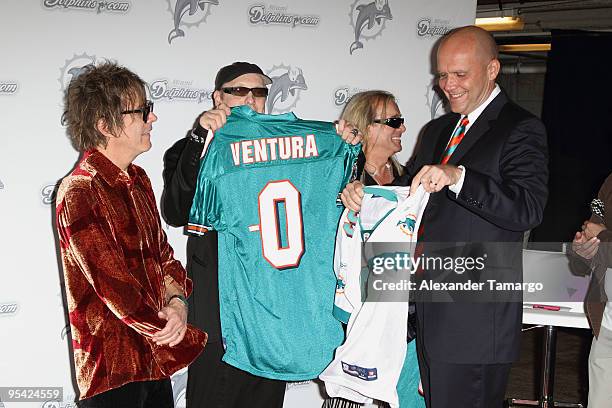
{"x":486,"y":167}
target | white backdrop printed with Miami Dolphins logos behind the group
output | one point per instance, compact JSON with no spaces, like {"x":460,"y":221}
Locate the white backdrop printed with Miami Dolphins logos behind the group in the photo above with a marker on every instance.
{"x":309,"y":46}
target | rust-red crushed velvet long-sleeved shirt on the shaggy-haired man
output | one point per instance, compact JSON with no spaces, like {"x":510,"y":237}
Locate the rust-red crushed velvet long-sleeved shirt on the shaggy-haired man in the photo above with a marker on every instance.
{"x":117,"y":262}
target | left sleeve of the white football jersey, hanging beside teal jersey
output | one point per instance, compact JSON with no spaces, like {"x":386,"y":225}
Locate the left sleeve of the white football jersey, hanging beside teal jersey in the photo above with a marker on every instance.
{"x":347,"y":266}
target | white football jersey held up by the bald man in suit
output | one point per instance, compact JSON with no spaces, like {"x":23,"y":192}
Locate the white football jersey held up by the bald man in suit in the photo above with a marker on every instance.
{"x":368,"y":365}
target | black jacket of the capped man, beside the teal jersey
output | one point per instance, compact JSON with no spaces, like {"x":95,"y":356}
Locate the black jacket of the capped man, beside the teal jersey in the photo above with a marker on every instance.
{"x":181,"y":167}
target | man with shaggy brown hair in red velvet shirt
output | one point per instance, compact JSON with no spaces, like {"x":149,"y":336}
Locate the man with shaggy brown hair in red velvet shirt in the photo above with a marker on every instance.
{"x":126,"y":293}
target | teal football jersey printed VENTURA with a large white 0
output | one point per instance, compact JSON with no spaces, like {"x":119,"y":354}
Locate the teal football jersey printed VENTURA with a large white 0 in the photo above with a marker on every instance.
{"x":269,"y":185}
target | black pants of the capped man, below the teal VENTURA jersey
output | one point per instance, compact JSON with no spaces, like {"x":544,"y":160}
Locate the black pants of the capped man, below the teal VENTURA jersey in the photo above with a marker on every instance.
{"x":215,"y":384}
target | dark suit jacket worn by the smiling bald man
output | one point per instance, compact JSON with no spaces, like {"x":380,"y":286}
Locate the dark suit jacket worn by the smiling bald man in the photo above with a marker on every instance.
{"x":504,"y":194}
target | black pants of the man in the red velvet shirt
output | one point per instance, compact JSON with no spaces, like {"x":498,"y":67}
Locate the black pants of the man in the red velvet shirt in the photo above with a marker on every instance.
{"x":139,"y":394}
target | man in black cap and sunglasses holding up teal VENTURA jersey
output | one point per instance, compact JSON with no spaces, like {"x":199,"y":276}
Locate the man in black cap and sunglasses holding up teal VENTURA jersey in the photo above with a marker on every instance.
{"x":212,"y":382}
